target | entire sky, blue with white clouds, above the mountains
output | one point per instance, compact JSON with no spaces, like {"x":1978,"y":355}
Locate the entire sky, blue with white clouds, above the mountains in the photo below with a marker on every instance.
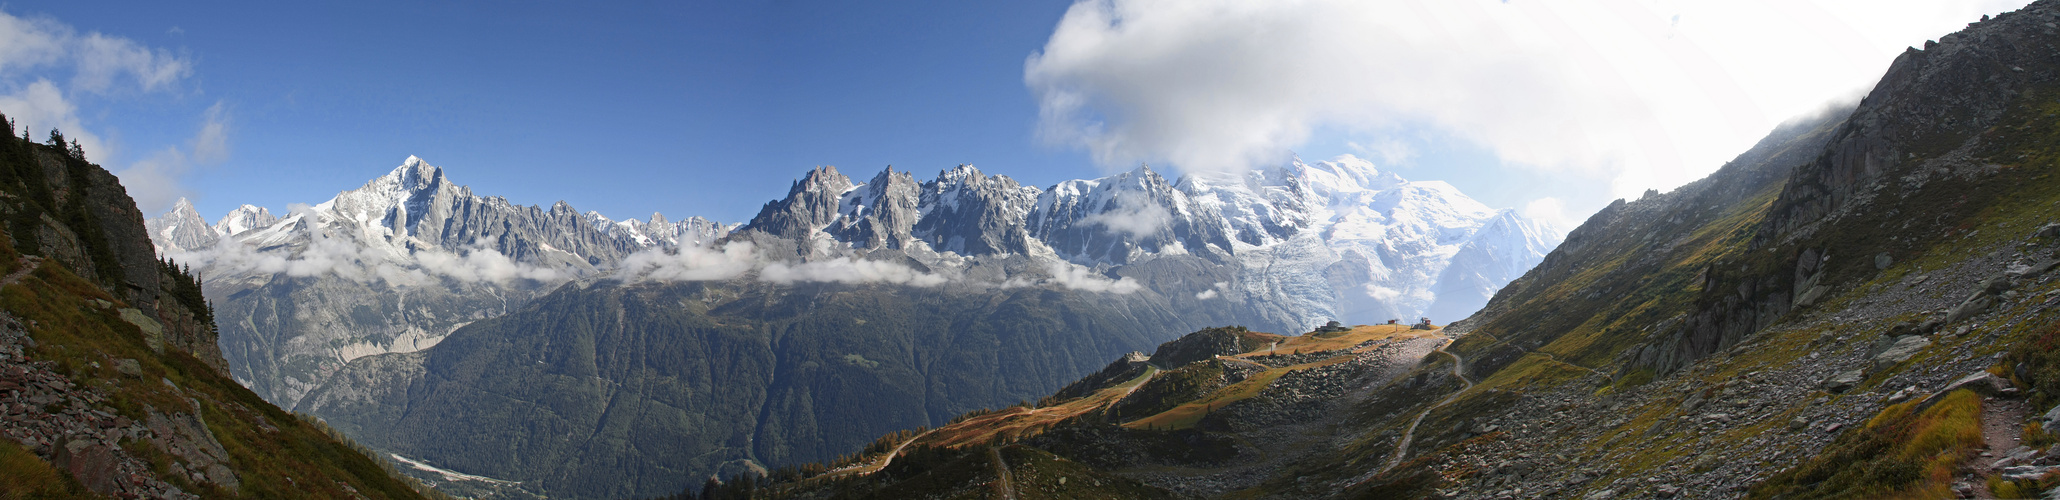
{"x":714,"y":108}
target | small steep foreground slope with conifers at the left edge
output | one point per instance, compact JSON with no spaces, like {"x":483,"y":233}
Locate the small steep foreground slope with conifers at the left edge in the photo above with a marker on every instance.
{"x":110,"y":382}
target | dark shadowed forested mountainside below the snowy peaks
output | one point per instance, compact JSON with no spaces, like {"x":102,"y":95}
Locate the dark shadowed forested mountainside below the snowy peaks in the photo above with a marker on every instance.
{"x":607,"y":390}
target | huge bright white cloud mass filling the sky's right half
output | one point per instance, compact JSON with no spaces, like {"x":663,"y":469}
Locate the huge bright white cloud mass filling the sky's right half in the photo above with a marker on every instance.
{"x":1643,"y":94}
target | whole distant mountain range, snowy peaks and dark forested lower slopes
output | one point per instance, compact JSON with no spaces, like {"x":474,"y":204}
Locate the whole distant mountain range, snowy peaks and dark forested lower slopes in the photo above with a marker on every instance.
{"x":368,"y":310}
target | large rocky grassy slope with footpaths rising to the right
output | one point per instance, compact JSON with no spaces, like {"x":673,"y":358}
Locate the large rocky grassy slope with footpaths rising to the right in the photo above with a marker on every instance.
{"x":1865,"y":306}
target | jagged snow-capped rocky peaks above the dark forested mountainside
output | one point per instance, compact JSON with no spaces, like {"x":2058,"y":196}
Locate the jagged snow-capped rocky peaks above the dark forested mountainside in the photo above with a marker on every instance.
{"x":1317,"y":240}
